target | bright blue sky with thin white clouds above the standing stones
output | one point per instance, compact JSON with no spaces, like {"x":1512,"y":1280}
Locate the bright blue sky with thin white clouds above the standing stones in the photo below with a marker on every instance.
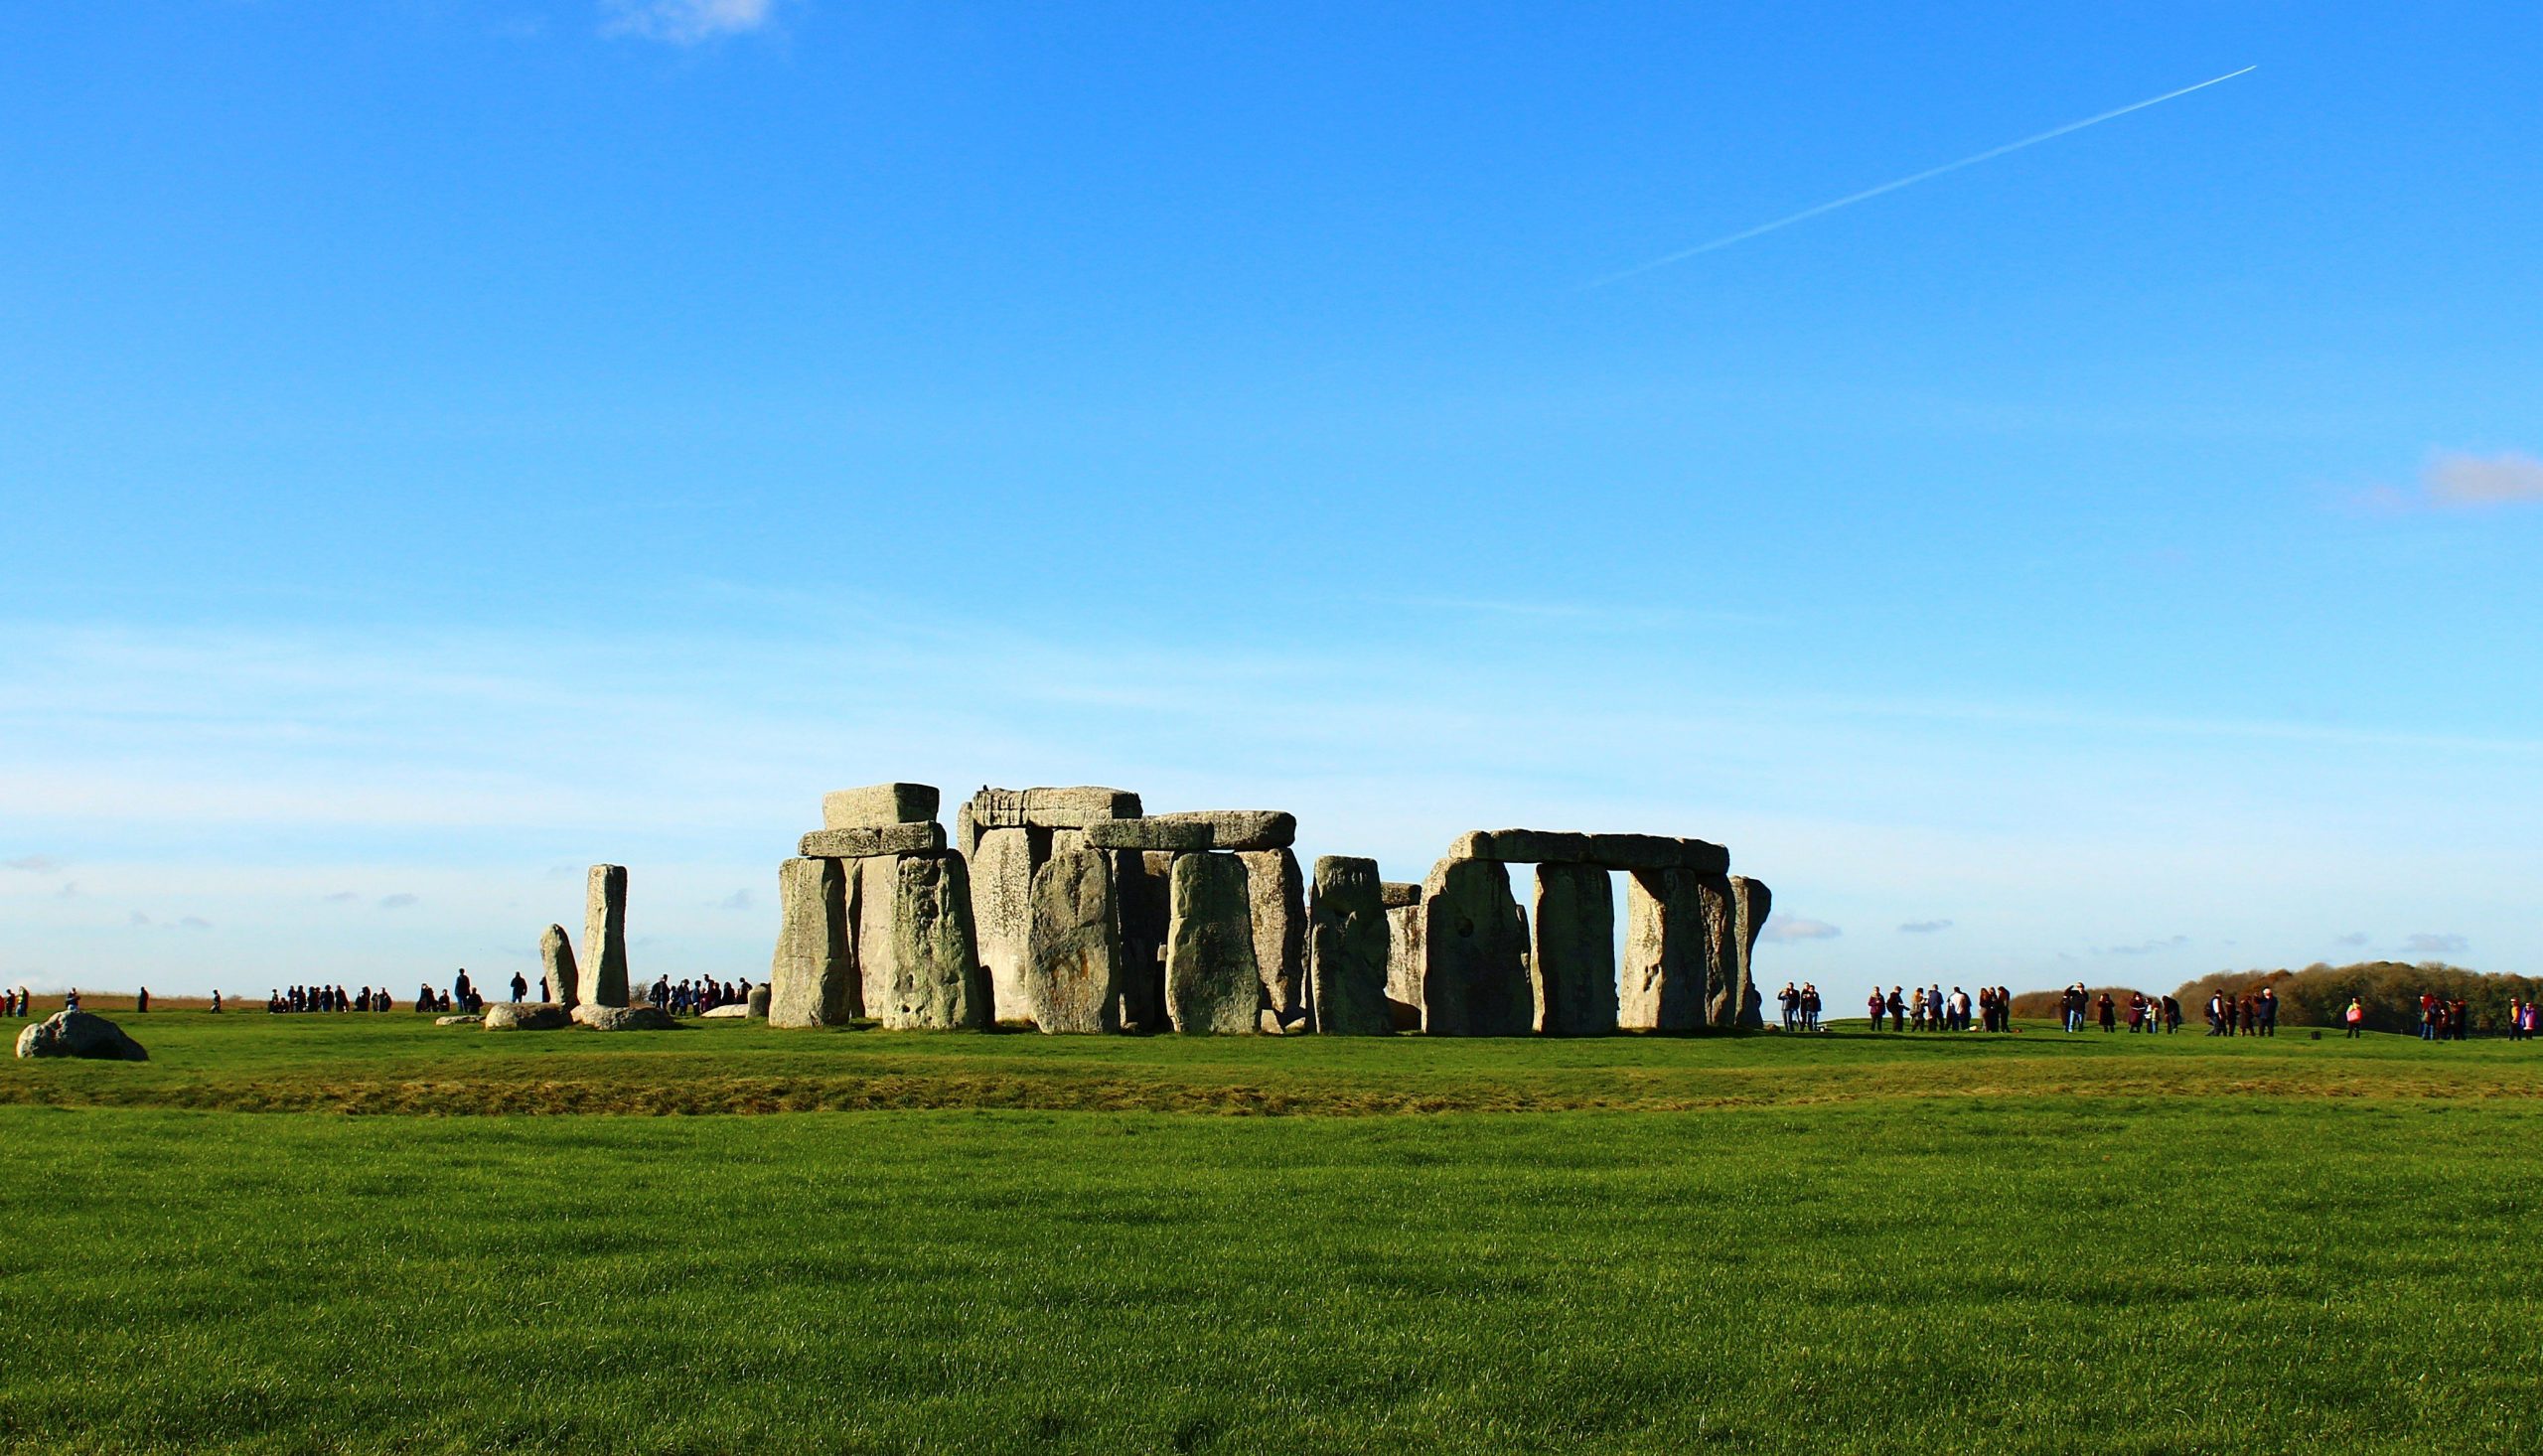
{"x":451,"y":443}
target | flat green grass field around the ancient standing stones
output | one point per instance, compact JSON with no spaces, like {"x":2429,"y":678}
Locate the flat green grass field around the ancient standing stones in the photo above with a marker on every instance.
{"x":1021,"y":1244}
